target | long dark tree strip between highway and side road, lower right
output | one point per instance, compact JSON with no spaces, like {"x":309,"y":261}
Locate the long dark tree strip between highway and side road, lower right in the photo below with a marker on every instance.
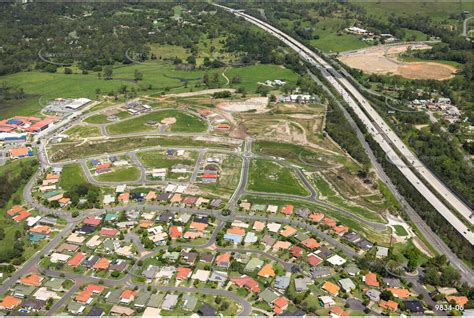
{"x":456,"y":242}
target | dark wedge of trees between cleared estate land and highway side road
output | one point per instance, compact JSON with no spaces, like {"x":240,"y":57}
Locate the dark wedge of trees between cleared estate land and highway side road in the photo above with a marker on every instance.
{"x":341,"y":131}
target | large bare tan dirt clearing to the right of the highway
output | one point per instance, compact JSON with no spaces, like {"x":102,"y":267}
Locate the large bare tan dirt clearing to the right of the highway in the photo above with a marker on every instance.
{"x":383,"y":59}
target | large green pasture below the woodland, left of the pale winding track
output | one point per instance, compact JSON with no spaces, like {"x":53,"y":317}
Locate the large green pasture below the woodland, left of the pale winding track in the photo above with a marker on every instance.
{"x":159,"y":75}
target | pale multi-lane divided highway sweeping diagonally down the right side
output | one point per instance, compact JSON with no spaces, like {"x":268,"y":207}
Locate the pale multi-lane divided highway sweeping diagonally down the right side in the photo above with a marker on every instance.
{"x":380,"y":131}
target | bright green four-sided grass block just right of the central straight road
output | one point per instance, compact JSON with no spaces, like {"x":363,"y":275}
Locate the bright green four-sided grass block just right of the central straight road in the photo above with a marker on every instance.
{"x":271,"y":177}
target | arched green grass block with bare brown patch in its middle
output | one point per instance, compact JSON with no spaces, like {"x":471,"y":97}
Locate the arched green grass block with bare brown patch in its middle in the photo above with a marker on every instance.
{"x":184,"y":123}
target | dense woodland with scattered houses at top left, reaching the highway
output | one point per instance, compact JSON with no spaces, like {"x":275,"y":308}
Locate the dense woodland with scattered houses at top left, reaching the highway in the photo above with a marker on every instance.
{"x":94,"y":35}
